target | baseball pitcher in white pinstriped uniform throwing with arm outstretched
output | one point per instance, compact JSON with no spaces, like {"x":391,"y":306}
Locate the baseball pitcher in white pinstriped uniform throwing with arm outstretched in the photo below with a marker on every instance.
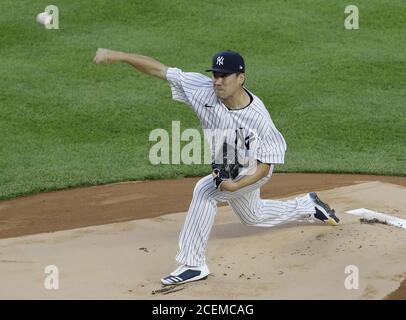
{"x":222,"y":102}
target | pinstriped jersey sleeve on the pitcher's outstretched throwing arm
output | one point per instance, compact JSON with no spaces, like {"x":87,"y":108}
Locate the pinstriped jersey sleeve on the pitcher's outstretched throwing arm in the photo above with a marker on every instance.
{"x":185,"y":84}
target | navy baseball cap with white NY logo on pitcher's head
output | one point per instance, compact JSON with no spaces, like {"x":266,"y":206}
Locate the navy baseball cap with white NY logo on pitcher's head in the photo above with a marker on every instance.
{"x":227,"y":62}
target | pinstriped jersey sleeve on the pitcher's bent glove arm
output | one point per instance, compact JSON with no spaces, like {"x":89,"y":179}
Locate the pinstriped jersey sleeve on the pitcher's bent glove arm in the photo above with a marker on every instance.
{"x":271,"y":147}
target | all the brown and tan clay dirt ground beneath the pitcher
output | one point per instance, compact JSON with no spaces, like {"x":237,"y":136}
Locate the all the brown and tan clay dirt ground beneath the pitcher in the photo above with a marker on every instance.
{"x":151,"y":205}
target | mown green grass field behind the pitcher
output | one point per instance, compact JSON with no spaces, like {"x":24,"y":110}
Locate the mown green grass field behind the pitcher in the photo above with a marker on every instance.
{"x":337,"y":96}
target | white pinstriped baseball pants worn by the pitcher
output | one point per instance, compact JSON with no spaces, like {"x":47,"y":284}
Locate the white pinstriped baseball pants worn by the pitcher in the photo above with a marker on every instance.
{"x":246,"y":203}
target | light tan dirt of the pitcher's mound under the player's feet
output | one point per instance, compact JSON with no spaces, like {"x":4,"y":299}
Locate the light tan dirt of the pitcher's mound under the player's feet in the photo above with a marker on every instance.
{"x":297,"y":261}
